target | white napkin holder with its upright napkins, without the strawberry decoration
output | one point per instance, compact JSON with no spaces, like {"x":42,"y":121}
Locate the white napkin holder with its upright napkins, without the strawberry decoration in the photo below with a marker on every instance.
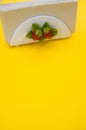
{"x":17,"y":19}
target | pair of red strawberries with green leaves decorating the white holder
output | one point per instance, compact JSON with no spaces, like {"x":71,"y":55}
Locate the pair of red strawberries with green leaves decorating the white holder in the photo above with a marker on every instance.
{"x":41,"y":33}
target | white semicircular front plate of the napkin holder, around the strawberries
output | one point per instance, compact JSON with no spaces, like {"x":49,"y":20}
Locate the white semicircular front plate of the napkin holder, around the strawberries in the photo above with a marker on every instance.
{"x":19,"y":36}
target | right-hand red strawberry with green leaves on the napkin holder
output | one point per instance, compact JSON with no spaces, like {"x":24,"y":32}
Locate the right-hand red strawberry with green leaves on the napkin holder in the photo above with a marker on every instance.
{"x":48,"y":32}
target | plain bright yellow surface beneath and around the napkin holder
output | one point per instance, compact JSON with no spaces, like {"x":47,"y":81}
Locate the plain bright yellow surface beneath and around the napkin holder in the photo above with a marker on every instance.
{"x":43,"y":86}
